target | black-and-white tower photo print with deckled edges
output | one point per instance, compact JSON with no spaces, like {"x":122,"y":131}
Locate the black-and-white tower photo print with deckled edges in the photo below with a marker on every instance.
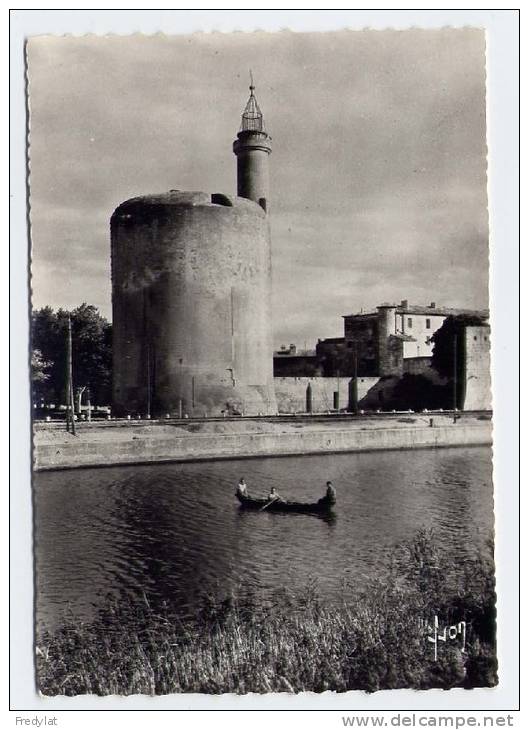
{"x":261,"y":391}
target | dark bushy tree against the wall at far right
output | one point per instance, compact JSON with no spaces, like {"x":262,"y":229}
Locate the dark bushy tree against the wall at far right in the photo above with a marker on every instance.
{"x":448,"y":346}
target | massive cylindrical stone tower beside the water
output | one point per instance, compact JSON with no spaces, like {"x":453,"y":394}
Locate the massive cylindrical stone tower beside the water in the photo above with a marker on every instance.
{"x":191,"y":290}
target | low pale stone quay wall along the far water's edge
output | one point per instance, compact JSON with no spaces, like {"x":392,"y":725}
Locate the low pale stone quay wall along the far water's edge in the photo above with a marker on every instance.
{"x":154,"y":443}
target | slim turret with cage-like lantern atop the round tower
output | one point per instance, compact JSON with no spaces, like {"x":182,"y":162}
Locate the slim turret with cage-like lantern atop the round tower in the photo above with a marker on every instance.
{"x":252,"y":148}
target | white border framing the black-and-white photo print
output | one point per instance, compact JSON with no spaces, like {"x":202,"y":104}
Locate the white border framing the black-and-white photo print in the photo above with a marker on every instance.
{"x":502,"y":73}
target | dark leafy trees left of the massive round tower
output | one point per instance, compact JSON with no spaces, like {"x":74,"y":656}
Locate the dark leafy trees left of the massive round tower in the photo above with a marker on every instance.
{"x":91,"y":352}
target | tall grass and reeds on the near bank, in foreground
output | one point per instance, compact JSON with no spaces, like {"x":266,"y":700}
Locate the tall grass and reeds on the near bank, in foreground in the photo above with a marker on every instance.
{"x":290,"y":643}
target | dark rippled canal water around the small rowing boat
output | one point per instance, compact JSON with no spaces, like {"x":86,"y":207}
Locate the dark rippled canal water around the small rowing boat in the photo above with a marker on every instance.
{"x":175,"y":531}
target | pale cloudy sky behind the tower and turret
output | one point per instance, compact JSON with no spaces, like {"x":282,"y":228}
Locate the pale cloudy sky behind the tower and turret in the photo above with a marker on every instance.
{"x":378,"y":170}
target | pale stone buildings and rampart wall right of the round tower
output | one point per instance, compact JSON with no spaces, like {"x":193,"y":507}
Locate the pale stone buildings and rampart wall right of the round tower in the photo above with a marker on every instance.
{"x":381,"y":348}
